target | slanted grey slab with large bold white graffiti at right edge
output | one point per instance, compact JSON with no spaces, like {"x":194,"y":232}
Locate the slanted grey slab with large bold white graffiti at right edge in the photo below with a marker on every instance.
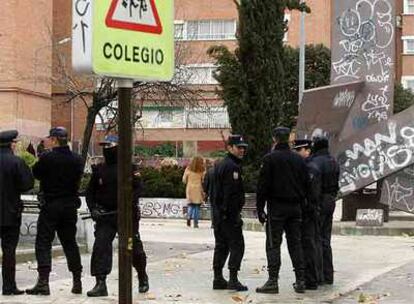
{"x":377,"y":152}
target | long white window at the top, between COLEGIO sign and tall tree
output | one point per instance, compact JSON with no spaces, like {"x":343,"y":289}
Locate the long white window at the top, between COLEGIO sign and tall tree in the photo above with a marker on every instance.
{"x":205,"y":30}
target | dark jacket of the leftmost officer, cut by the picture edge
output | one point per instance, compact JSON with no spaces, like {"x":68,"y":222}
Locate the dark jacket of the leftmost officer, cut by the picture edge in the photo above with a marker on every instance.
{"x":15,"y":178}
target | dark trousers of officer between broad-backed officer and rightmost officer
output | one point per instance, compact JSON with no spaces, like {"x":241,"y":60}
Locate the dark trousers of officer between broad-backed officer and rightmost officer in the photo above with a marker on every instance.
{"x":310,"y":251}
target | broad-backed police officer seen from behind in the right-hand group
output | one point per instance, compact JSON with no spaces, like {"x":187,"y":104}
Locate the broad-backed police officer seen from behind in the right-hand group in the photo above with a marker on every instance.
{"x":283,"y":185}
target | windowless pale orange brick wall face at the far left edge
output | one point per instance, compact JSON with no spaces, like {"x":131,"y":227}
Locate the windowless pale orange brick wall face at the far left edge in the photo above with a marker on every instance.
{"x":25,"y":58}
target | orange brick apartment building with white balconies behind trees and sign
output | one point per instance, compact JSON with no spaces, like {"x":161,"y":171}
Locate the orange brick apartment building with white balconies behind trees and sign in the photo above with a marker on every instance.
{"x":26,"y":95}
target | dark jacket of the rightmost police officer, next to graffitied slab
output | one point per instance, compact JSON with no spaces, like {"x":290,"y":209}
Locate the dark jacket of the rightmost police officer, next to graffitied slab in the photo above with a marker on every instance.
{"x":329,"y":174}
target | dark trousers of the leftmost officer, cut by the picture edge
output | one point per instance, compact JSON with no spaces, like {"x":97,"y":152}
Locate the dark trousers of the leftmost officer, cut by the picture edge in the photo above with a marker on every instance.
{"x":9,"y":236}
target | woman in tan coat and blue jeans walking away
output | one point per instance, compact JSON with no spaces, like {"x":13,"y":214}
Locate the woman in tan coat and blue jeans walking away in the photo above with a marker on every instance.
{"x":193,"y":178}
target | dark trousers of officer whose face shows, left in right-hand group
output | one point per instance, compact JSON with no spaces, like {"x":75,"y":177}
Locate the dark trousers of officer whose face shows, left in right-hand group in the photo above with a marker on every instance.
{"x":229,"y":240}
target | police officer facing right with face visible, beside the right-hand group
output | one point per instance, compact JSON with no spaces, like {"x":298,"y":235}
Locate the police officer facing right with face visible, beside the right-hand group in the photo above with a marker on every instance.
{"x":227,"y":205}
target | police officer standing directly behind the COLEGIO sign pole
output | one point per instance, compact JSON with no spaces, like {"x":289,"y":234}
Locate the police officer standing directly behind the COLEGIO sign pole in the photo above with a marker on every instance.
{"x":102,"y":202}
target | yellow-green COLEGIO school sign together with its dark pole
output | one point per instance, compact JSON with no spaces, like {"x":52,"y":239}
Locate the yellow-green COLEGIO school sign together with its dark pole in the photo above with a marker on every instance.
{"x":128,"y":40}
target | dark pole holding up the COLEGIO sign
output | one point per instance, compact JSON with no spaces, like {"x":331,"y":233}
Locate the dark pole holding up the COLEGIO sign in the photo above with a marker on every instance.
{"x":125,"y":191}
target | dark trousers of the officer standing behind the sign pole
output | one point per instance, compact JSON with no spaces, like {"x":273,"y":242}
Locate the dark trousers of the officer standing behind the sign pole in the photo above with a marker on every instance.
{"x":105,"y":231}
